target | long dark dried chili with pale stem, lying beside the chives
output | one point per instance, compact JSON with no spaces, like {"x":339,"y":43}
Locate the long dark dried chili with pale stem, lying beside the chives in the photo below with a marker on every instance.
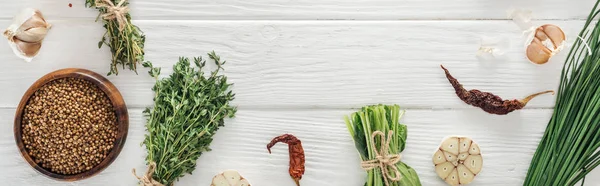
{"x":489,"y":102}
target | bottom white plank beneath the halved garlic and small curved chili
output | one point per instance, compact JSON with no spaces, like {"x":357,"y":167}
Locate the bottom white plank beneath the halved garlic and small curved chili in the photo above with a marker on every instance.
{"x":507,"y":144}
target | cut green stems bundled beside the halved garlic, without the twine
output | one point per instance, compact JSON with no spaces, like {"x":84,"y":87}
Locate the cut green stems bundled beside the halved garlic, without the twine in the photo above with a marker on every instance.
{"x":382,"y":119}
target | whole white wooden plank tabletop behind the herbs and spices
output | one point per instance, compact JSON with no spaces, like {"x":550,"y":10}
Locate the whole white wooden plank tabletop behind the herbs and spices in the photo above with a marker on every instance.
{"x":299,"y":66}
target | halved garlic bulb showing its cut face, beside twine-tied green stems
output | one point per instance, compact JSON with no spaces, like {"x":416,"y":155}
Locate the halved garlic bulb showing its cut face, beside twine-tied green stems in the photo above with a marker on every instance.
{"x":458,"y":160}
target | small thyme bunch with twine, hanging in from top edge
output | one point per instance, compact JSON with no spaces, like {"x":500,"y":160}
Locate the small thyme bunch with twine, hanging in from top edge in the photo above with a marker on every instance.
{"x":125,"y":40}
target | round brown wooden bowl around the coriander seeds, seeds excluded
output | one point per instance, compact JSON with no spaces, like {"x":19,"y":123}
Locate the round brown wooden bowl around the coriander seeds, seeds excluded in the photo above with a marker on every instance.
{"x":120,"y":110}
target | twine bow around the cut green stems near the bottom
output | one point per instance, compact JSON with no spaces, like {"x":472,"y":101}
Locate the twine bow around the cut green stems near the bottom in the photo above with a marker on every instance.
{"x":383,"y":160}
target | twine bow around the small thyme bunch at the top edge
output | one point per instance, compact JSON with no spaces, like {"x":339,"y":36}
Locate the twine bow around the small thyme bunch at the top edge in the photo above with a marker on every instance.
{"x":117,"y":12}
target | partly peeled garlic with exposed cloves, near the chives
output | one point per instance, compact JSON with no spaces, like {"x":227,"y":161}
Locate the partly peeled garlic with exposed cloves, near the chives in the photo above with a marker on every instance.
{"x":544,"y":42}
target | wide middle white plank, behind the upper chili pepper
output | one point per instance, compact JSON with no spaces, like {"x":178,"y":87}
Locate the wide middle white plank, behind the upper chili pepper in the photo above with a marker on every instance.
{"x":304,"y":64}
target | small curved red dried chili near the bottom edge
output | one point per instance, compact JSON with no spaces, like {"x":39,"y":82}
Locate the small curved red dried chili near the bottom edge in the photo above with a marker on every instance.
{"x":296,"y":155}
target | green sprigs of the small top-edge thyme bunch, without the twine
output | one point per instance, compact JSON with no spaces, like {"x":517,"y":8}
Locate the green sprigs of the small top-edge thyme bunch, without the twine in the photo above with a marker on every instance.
{"x":126,"y":46}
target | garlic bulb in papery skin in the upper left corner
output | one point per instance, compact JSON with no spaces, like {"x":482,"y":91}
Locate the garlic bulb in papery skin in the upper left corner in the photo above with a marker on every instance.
{"x":26,"y":33}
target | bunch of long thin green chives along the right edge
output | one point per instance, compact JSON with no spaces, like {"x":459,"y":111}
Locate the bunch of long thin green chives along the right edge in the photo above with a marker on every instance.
{"x":568,"y":150}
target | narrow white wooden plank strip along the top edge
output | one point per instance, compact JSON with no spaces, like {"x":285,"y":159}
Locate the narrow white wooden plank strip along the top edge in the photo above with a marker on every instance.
{"x":314,"y":10}
